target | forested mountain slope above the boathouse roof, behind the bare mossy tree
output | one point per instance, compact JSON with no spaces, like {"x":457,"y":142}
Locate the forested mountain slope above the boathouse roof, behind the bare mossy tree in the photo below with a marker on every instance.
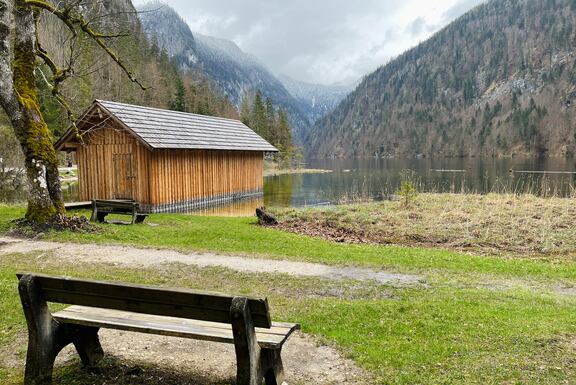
{"x":96,"y":76}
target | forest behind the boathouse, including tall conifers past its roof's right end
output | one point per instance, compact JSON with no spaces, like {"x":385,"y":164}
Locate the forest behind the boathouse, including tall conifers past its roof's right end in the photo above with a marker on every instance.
{"x":98,"y":77}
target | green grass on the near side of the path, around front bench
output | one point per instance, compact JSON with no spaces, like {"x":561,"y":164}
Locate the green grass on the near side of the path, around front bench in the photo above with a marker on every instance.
{"x":435,"y":335}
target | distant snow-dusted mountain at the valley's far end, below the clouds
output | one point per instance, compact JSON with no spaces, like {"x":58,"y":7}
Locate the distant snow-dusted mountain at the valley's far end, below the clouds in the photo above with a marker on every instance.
{"x":315,"y":100}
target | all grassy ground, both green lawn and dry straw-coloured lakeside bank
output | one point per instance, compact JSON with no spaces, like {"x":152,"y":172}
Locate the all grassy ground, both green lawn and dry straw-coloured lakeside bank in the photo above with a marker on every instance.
{"x":484,"y":316}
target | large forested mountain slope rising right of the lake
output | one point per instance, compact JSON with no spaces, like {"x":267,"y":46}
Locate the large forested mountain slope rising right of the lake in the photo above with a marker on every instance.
{"x":498,"y":81}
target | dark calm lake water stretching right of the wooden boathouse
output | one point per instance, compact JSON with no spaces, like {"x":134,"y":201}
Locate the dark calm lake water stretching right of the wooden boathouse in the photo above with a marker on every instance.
{"x":377,"y":179}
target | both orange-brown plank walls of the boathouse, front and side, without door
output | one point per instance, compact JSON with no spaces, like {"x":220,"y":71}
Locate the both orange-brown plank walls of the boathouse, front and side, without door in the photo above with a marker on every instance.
{"x":164,"y":176}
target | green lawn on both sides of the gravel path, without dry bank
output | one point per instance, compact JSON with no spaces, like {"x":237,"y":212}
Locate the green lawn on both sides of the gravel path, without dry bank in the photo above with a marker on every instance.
{"x":478,"y":319}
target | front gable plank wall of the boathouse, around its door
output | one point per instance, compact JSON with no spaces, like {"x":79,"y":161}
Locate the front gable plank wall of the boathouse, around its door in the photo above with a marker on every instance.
{"x":96,"y":165}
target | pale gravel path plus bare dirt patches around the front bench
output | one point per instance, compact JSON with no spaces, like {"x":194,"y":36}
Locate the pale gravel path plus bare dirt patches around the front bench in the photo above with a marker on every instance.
{"x":176,"y":361}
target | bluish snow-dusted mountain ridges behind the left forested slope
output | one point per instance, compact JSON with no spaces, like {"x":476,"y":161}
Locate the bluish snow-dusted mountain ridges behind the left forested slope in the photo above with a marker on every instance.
{"x":235,"y":72}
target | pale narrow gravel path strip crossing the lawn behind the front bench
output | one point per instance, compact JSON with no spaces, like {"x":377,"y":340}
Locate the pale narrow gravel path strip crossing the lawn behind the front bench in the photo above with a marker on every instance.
{"x":134,"y":257}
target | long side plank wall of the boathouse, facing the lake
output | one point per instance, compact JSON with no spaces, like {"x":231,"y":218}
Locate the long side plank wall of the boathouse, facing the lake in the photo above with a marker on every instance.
{"x":179,"y":175}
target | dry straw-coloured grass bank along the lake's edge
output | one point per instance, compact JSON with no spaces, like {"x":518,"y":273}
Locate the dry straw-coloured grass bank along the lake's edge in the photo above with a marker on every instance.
{"x":505,"y":225}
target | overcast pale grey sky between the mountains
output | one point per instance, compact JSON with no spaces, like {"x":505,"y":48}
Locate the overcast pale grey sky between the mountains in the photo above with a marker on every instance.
{"x":321,"y":41}
